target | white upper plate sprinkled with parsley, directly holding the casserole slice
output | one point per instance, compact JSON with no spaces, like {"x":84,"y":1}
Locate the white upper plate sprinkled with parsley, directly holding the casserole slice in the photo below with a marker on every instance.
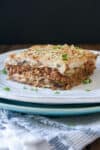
{"x":78,"y":94}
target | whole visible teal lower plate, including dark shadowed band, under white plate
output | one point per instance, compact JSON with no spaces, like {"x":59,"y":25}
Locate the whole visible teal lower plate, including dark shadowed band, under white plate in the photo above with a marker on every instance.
{"x":47,"y":110}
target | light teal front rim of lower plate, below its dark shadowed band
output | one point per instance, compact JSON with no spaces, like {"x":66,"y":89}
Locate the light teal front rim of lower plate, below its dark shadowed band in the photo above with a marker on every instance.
{"x":51,"y":111}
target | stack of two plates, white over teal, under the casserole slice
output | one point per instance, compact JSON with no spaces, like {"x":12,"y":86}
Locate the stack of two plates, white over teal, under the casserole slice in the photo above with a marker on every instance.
{"x":82,"y":99}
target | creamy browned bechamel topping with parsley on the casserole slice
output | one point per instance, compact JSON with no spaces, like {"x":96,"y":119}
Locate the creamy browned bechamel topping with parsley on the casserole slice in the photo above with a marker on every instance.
{"x":61,"y":57}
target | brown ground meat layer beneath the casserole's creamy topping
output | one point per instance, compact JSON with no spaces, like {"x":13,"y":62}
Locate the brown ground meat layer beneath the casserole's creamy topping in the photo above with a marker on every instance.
{"x":48,"y":77}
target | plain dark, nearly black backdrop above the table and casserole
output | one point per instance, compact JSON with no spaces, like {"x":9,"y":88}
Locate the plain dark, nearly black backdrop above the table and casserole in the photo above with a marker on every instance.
{"x":49,"y":21}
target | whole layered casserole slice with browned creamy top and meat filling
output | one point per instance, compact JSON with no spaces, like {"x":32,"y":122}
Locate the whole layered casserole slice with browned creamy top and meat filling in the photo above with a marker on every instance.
{"x":52,"y":66}
